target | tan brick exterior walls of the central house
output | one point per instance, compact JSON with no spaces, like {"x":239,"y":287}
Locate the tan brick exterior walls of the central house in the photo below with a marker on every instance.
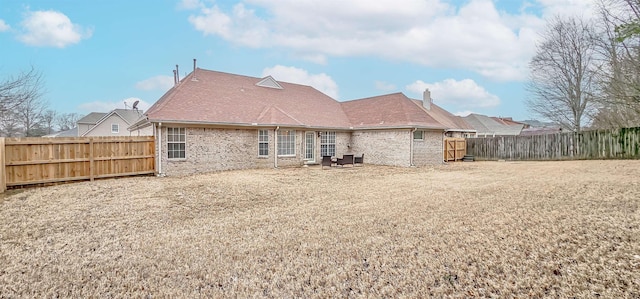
{"x":215,"y":149}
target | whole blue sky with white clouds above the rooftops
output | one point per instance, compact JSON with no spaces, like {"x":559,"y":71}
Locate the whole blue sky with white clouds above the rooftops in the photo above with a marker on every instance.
{"x":97,"y":55}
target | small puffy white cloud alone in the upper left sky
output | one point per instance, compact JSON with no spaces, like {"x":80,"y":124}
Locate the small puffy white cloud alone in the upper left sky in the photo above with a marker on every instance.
{"x":51,"y":28}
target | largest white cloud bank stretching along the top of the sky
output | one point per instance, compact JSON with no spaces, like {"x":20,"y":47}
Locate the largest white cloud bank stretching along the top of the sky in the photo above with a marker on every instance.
{"x":434,"y":33}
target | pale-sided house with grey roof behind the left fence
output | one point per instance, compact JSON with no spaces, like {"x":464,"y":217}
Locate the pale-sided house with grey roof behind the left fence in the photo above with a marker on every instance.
{"x":114,"y":123}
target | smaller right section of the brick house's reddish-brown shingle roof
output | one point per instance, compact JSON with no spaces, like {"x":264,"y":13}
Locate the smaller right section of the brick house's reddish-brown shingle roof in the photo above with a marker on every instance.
{"x":392,"y":110}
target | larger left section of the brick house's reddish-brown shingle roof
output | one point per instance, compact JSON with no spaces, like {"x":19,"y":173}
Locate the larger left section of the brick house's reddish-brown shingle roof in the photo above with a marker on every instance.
{"x":223,"y":98}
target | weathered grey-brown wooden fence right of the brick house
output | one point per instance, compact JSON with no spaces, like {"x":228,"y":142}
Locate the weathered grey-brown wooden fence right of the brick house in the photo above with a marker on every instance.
{"x":621,"y":143}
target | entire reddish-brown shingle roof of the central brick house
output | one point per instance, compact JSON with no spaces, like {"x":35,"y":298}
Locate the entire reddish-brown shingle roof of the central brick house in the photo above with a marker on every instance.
{"x":215,"y":98}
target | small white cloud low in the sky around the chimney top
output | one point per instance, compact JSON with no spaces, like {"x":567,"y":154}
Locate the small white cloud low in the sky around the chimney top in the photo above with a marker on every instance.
{"x":464,"y":93}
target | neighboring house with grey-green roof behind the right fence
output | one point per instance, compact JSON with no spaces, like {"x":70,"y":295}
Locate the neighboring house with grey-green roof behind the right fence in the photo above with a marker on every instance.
{"x":486,"y":126}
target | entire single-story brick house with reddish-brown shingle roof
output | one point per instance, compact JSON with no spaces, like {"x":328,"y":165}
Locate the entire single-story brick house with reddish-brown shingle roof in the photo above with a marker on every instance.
{"x":215,"y":121}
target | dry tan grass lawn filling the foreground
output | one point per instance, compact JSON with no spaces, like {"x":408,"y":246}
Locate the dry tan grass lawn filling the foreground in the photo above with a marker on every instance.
{"x":488,"y":229}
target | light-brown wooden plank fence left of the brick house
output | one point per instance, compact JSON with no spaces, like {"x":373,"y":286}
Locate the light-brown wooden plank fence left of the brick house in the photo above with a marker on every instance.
{"x":26,"y":161}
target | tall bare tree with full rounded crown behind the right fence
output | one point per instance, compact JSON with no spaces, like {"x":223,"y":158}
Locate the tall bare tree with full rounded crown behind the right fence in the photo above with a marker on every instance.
{"x":563,"y":83}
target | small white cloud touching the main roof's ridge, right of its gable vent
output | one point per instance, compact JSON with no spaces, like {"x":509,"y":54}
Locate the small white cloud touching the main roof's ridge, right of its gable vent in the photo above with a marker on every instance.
{"x":321,"y":82}
